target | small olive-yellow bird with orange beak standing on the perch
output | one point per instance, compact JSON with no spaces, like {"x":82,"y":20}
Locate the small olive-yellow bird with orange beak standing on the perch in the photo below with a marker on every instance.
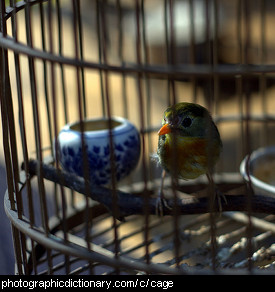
{"x":189,"y":145}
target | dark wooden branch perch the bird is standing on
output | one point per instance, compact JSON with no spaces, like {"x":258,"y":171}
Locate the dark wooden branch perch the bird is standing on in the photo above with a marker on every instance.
{"x":129,"y":204}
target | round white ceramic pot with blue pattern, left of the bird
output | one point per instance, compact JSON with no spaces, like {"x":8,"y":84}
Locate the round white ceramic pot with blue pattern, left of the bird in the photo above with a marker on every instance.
{"x":126,"y":142}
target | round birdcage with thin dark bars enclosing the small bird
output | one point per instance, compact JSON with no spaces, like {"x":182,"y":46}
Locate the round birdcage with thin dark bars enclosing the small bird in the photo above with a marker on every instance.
{"x":70,"y":66}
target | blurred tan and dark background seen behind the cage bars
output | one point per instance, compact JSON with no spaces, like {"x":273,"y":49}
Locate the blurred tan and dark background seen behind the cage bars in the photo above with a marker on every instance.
{"x":145,"y":35}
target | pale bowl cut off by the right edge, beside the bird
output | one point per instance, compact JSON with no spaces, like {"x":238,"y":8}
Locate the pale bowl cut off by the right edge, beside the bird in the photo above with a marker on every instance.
{"x":261,"y":170}
